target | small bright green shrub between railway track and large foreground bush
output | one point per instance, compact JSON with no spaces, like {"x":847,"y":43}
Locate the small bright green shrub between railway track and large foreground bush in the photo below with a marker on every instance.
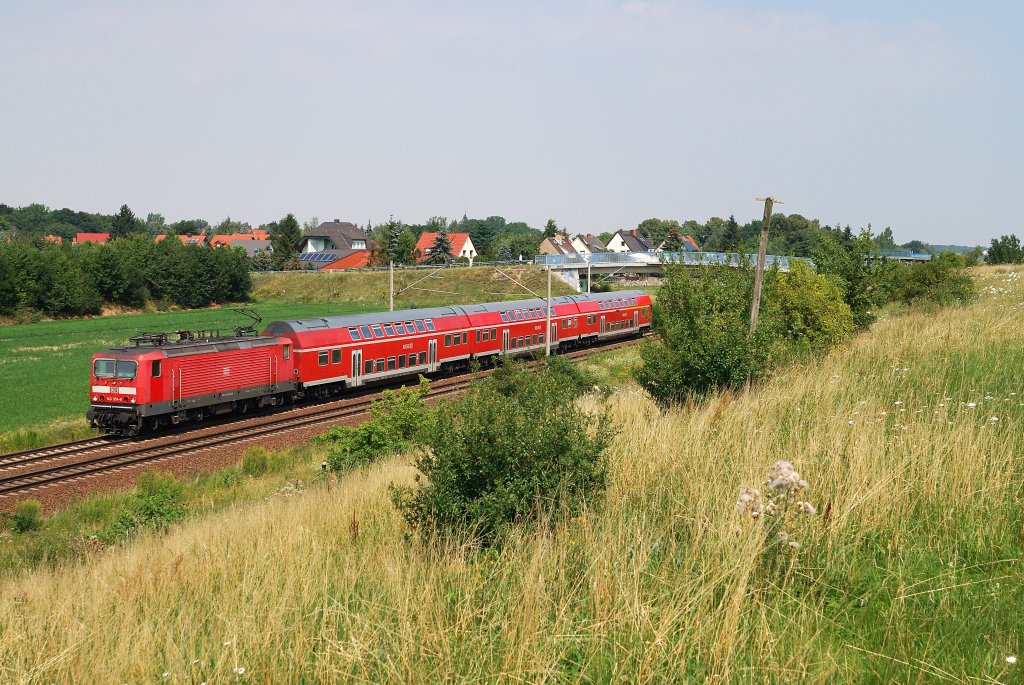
{"x":396,"y":420}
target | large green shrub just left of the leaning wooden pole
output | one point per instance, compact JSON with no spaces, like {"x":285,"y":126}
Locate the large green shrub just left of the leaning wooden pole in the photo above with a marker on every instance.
{"x":703,"y":323}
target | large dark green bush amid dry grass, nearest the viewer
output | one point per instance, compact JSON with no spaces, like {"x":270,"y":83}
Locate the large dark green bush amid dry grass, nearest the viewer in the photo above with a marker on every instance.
{"x":517,"y":446}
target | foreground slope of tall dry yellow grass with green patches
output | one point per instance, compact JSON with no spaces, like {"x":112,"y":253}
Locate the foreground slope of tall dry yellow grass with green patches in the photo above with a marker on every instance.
{"x":911,"y":439}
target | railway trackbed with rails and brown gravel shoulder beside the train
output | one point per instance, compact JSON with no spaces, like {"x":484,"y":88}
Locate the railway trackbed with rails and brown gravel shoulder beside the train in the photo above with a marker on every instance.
{"x":59,"y":475}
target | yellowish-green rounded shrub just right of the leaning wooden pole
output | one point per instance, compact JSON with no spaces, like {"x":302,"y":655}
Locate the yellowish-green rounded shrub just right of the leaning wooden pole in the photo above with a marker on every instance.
{"x":812,"y":309}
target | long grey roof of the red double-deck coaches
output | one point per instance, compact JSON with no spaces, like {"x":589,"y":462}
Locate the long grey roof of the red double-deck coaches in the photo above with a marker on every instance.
{"x":346,"y":321}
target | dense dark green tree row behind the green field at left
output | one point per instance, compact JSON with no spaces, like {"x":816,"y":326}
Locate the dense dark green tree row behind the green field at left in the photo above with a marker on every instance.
{"x":64,"y":280}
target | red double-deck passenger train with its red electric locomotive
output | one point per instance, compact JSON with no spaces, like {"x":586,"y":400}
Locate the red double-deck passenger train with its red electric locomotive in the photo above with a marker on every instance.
{"x":156,"y":382}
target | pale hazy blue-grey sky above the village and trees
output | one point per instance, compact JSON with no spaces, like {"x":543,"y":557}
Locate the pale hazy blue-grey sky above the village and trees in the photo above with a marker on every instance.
{"x":598,"y":114}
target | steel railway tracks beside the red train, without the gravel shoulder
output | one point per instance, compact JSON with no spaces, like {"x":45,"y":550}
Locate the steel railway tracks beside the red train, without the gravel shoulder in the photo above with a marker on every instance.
{"x":51,"y":466}
